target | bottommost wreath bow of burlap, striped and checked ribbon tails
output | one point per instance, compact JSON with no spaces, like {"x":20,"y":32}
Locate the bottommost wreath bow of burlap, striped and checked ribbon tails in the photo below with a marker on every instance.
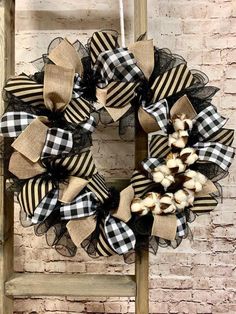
{"x":112,"y":233}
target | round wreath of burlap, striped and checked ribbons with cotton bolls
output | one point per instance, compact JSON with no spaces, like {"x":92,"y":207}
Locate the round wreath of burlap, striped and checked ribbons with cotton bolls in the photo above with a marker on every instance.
{"x":51,"y":115}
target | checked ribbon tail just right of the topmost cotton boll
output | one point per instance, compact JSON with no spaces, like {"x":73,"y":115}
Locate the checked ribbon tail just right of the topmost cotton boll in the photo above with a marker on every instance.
{"x":208,"y":122}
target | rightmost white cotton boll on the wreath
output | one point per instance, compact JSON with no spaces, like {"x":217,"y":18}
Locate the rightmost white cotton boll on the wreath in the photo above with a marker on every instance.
{"x":194,"y":180}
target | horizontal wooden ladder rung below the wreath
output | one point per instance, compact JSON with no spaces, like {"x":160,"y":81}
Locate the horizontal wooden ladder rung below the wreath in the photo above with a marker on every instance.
{"x":86,"y":285}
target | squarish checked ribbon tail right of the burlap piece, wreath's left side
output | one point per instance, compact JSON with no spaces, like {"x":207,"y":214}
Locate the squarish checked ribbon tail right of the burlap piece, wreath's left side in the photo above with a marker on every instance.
{"x":58,"y":141}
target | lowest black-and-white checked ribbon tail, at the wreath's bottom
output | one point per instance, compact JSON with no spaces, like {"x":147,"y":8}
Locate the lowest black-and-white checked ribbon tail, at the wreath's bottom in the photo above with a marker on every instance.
{"x":120,"y":237}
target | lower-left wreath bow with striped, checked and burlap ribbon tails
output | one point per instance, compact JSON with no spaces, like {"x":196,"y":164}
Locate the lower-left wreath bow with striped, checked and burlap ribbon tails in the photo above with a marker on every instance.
{"x":71,"y":184}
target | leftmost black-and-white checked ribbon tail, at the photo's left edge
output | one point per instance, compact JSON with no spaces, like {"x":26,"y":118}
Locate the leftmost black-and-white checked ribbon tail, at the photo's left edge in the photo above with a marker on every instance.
{"x":13,"y":123}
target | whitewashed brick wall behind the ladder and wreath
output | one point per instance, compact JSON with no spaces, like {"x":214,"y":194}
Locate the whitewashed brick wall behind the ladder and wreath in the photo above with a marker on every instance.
{"x":199,"y":276}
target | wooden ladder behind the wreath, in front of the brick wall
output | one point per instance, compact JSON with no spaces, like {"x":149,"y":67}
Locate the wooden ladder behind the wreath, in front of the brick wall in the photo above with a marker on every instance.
{"x":35,"y":284}
